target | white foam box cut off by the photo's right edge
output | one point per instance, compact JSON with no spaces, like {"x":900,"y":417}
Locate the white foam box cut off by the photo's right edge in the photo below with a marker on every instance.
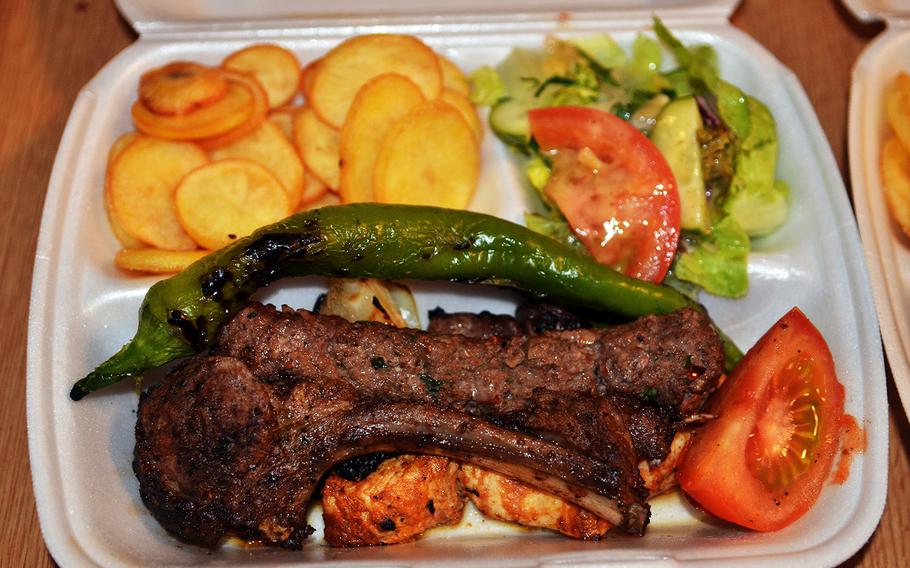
{"x":887,"y":248}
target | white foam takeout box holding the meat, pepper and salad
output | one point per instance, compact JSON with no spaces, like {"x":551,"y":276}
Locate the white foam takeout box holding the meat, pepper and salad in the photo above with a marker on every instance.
{"x":83,"y":309}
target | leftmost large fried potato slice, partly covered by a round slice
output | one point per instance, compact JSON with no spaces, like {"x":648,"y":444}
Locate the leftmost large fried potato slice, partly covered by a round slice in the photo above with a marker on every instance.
{"x":142,"y":180}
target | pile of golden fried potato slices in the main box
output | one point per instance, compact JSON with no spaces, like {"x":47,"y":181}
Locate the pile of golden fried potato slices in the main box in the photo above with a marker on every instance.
{"x":221,"y":151}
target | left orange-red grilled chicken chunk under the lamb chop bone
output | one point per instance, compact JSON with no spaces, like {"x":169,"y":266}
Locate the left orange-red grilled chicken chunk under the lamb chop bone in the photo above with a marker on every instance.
{"x":404,"y":497}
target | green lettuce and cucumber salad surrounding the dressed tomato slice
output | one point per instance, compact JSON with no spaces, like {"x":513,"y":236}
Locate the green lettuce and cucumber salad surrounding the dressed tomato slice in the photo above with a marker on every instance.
{"x":720,"y":142}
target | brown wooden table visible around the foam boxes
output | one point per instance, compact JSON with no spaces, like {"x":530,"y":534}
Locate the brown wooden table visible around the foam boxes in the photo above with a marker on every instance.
{"x":50,"y":48}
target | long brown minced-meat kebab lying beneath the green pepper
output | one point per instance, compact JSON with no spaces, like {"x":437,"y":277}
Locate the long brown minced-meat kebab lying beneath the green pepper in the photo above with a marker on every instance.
{"x":673,"y":360}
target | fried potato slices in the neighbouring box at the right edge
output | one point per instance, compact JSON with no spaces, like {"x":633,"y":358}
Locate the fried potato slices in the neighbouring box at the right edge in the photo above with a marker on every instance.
{"x":895,"y":159}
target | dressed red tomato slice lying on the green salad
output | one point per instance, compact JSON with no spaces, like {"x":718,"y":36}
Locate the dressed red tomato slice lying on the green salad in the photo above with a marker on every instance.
{"x":613,"y":186}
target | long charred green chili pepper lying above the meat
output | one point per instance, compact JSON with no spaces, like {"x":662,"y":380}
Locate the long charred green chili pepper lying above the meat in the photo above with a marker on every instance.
{"x":182,"y":315}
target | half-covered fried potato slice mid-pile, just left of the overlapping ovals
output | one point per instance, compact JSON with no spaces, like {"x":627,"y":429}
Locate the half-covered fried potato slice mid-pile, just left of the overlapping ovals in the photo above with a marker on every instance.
{"x":318,"y":144}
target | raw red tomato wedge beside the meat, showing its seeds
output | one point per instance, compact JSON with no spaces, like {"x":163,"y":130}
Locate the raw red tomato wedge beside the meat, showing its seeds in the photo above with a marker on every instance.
{"x":762,"y":463}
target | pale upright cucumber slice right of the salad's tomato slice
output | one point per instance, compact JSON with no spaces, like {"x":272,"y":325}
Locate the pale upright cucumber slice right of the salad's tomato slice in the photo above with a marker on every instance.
{"x":675,"y":135}
